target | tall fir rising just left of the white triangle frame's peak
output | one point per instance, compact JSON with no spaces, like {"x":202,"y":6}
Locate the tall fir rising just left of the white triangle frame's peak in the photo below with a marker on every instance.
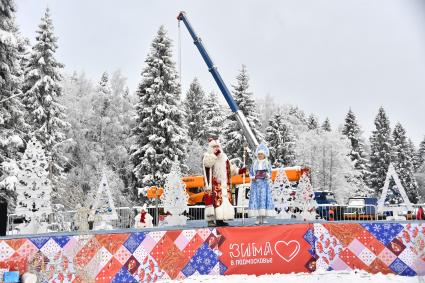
{"x":380,"y":156}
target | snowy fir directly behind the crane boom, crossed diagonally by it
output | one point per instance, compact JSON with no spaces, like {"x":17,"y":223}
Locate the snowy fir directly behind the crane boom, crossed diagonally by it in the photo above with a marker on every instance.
{"x":234,"y":139}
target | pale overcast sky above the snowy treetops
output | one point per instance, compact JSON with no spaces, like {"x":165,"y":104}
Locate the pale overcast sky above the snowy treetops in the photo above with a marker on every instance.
{"x":324,"y":56}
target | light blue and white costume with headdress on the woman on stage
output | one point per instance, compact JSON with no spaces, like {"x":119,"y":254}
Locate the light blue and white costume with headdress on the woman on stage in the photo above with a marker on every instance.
{"x":260,"y":198}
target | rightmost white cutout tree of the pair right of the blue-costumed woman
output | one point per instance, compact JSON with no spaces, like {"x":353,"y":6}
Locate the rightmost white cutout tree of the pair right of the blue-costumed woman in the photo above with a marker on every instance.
{"x":305,"y":197}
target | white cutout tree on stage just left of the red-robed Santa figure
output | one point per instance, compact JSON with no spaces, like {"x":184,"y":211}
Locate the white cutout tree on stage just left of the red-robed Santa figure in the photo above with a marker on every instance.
{"x":175,"y":197}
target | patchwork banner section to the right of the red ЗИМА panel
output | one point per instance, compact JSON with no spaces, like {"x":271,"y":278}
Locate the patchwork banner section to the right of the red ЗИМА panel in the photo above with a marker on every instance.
{"x":372,"y":246}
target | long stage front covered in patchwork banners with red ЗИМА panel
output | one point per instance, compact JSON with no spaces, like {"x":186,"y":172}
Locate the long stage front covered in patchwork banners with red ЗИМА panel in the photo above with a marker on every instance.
{"x":243,"y":248}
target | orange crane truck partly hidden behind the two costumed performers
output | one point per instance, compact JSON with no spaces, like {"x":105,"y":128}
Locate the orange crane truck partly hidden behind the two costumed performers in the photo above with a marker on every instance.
{"x":195,"y":184}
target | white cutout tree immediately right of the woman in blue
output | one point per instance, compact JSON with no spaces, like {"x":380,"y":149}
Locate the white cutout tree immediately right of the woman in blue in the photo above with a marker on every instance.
{"x":282,"y":195}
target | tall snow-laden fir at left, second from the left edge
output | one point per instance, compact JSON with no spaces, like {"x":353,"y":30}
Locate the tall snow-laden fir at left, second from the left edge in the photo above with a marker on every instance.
{"x":42,"y":88}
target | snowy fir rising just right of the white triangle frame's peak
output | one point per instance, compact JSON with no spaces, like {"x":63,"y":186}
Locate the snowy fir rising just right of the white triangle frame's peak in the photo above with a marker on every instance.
{"x":401,"y":157}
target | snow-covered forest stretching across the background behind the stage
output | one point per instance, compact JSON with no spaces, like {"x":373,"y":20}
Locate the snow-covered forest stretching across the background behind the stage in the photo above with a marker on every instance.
{"x":89,"y":126}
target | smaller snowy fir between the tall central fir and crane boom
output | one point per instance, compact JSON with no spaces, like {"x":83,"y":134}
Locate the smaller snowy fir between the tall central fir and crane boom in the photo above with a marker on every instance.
{"x":194,"y":105}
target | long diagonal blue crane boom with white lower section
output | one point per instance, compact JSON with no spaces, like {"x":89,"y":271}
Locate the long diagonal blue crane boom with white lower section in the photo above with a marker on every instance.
{"x":240,"y":117}
